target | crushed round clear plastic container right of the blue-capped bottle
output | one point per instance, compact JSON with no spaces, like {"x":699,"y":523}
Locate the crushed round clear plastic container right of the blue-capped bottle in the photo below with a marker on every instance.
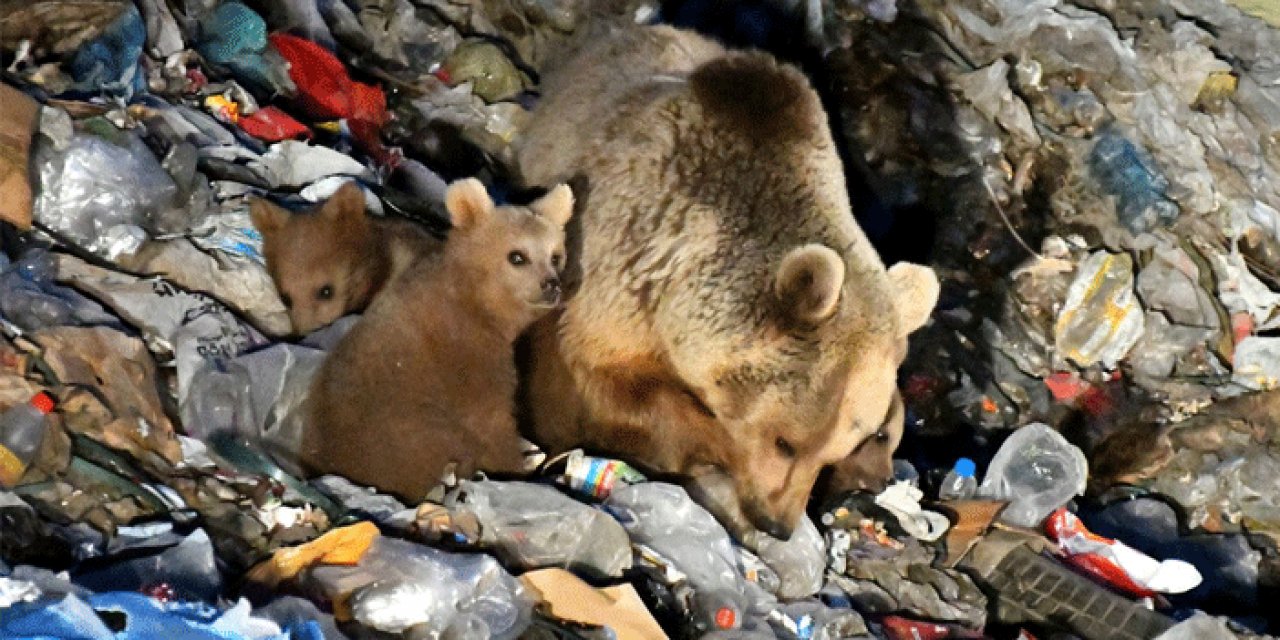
{"x":1039,"y":472}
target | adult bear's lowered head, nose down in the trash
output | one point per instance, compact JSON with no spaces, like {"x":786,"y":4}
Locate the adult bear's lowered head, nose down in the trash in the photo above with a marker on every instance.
{"x":815,"y":383}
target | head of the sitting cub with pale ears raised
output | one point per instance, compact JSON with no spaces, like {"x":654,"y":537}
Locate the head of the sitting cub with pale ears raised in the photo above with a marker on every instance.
{"x":511,"y":257}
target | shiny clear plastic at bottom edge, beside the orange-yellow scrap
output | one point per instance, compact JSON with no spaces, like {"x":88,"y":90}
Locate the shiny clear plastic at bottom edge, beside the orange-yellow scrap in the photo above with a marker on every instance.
{"x":399,"y":586}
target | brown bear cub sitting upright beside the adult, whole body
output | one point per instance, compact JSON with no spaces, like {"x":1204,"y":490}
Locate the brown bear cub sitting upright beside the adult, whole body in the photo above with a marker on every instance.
{"x":428,"y":374}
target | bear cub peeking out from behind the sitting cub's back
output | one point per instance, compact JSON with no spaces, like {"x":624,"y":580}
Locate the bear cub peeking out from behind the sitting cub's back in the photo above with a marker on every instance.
{"x":333,"y":260}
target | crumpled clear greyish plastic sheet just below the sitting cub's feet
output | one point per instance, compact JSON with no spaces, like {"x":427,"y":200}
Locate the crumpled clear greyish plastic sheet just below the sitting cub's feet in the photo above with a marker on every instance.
{"x":536,"y":527}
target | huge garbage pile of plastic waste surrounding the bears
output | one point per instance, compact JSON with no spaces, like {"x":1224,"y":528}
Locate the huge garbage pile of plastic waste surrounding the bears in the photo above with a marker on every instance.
{"x":1104,"y":184}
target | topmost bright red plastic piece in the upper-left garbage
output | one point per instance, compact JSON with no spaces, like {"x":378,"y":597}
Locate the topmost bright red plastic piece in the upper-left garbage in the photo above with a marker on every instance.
{"x":324,"y":86}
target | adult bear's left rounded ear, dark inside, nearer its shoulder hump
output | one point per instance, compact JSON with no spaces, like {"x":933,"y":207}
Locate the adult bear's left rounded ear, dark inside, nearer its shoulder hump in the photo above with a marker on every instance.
{"x":810,"y":282}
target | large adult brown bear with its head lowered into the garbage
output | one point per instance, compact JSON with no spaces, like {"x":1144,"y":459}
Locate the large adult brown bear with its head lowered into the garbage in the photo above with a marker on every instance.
{"x":724,"y":313}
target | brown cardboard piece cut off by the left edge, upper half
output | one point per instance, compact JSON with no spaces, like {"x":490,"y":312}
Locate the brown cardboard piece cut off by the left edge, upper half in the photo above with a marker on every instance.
{"x":20,"y":117}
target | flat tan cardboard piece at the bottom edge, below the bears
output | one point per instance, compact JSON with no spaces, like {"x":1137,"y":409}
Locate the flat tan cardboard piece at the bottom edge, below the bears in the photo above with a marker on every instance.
{"x":616,"y":607}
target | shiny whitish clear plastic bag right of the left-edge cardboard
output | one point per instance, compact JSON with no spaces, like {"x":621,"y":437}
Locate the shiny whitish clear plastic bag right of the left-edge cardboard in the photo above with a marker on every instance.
{"x":103,"y":196}
